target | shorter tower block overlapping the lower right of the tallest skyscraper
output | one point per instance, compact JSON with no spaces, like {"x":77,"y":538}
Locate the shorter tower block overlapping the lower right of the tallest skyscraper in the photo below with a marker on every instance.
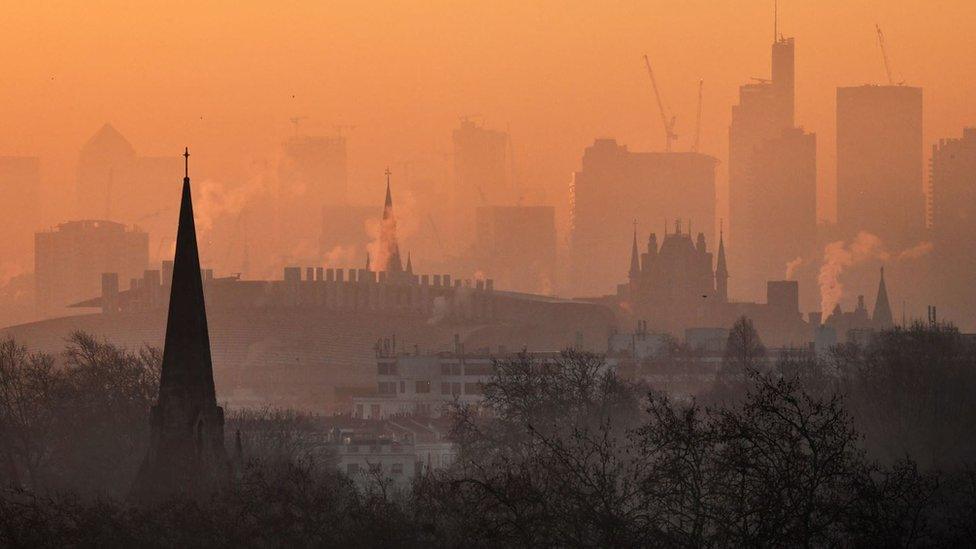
{"x":783,"y":180}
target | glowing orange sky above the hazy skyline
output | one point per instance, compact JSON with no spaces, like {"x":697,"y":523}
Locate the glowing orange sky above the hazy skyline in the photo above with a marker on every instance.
{"x":225,"y":77}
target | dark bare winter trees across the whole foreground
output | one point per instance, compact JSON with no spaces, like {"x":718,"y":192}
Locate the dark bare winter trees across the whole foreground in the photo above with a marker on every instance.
{"x":864,"y":447}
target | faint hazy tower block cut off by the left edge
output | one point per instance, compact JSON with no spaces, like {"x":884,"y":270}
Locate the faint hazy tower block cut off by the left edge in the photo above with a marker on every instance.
{"x":20,"y":210}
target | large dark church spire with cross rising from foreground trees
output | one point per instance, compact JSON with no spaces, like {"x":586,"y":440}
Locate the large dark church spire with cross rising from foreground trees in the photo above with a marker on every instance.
{"x":186,"y":453}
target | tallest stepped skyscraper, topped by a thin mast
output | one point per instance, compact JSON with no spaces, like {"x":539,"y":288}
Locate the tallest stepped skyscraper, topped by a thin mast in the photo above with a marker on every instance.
{"x":762,"y":128}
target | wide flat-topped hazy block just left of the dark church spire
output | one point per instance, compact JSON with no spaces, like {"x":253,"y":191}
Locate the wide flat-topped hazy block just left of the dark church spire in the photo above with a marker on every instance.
{"x":70,"y":260}
